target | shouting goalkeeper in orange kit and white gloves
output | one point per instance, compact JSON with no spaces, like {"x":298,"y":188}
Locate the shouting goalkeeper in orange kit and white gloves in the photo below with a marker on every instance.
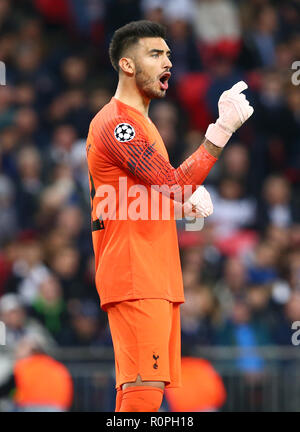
{"x":138,"y":273}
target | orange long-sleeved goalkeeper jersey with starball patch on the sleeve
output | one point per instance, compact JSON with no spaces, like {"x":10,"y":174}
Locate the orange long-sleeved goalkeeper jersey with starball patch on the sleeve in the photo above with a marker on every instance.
{"x":134,"y":259}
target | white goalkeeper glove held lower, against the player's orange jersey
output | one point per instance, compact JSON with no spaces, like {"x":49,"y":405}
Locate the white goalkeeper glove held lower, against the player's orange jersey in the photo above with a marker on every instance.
{"x":199,"y":204}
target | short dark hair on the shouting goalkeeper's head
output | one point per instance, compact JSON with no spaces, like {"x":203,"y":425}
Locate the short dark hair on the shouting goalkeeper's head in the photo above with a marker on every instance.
{"x":130,"y":34}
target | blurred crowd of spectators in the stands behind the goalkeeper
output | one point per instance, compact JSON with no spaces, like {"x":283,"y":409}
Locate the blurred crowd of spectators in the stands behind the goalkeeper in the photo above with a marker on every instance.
{"x":241,"y":272}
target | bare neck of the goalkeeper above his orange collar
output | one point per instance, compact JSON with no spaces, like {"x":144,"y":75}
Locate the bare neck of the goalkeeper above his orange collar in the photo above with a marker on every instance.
{"x":128,"y":93}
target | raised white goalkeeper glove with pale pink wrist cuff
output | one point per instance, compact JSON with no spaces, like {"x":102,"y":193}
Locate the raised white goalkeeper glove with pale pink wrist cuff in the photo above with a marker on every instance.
{"x":234,"y":110}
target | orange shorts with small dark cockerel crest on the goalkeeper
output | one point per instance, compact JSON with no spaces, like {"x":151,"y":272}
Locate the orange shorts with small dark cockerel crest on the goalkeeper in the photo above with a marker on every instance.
{"x":147,"y":341}
